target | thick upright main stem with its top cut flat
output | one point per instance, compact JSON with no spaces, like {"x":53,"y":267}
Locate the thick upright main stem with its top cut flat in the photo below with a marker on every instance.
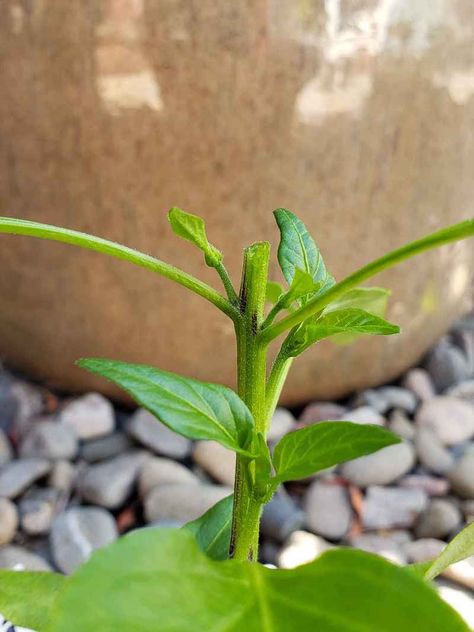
{"x":251,"y":373}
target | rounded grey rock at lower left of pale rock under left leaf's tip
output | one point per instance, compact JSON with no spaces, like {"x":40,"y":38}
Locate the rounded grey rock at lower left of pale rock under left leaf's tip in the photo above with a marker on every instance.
{"x":49,"y":440}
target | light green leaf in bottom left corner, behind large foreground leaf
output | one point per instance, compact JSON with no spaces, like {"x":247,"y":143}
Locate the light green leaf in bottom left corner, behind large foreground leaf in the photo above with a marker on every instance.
{"x":26,"y":598}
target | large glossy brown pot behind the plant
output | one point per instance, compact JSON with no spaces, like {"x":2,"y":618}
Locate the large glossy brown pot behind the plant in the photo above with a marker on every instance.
{"x":356,"y":115}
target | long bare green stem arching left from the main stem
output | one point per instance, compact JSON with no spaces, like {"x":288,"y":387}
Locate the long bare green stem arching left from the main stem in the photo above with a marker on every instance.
{"x":90,"y":242}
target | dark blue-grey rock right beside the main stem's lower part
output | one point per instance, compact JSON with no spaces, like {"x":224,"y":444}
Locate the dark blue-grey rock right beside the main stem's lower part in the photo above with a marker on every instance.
{"x":281,"y":517}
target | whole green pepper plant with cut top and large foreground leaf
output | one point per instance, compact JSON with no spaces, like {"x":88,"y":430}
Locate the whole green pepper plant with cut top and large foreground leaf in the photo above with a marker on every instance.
{"x":206,"y":575}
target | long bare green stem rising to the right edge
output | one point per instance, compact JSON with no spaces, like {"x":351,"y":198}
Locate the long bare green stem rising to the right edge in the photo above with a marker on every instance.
{"x":453,"y":233}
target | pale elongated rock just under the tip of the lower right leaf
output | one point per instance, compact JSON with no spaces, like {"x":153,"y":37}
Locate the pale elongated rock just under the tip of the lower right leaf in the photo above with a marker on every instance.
{"x":382,"y":467}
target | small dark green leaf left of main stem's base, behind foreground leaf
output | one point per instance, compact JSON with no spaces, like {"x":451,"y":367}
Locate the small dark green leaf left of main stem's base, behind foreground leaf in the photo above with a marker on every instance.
{"x":212,"y":530}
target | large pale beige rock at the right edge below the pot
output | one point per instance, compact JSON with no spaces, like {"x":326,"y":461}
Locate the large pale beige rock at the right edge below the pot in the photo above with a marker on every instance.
{"x":451,"y":419}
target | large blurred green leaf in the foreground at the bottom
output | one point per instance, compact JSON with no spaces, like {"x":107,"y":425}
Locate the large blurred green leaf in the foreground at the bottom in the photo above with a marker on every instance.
{"x":160,"y":580}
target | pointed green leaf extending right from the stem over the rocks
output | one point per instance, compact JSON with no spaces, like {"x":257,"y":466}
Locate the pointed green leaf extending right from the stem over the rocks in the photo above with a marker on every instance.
{"x":303,"y":452}
